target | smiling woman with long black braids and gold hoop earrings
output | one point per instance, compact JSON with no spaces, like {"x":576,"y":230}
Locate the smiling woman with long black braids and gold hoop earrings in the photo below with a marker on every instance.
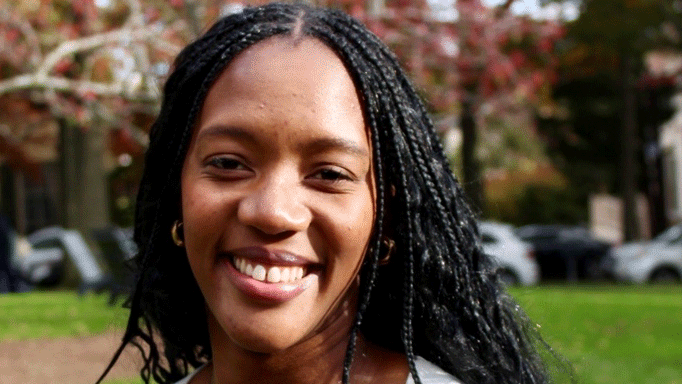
{"x":297,"y":221}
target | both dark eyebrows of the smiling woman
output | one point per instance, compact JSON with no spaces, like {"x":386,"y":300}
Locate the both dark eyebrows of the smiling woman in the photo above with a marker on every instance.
{"x":314,"y":146}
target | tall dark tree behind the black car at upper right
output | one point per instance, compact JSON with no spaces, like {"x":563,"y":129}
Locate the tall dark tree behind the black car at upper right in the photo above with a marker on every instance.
{"x":601,"y":77}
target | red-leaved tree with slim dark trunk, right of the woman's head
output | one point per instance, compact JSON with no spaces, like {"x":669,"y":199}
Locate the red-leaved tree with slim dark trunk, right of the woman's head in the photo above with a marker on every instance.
{"x":487,"y":68}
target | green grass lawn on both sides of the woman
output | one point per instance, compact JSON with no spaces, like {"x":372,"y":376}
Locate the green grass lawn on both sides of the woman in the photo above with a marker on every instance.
{"x":611,"y":333}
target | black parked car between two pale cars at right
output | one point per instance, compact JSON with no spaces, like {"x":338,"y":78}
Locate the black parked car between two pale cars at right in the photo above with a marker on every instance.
{"x":565,"y":252}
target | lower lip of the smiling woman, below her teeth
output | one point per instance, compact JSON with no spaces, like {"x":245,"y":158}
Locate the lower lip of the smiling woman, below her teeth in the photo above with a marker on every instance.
{"x":267,"y":292}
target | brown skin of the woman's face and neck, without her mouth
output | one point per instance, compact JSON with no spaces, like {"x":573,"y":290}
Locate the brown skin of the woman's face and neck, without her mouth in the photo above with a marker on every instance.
{"x":293,"y":173}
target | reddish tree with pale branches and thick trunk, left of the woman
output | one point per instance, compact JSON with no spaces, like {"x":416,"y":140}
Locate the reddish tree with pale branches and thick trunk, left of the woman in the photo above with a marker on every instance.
{"x":95,"y":68}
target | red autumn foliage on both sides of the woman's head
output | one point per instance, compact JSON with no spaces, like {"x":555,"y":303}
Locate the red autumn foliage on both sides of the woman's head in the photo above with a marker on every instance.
{"x":488,"y":54}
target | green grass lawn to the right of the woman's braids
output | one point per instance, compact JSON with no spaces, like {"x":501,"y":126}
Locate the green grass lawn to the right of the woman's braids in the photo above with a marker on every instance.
{"x":612,"y":333}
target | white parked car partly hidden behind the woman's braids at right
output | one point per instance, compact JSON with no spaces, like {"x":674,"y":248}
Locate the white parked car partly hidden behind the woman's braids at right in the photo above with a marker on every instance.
{"x":514,"y":257}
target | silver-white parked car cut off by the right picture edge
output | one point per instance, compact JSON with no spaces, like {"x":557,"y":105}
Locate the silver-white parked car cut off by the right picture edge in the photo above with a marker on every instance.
{"x":655,"y":261}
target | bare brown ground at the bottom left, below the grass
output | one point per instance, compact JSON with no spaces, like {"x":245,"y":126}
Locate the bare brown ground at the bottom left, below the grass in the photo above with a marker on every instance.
{"x":64,"y":360}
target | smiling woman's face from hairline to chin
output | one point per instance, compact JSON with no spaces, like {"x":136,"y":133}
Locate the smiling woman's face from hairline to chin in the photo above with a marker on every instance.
{"x":278,"y":195}
